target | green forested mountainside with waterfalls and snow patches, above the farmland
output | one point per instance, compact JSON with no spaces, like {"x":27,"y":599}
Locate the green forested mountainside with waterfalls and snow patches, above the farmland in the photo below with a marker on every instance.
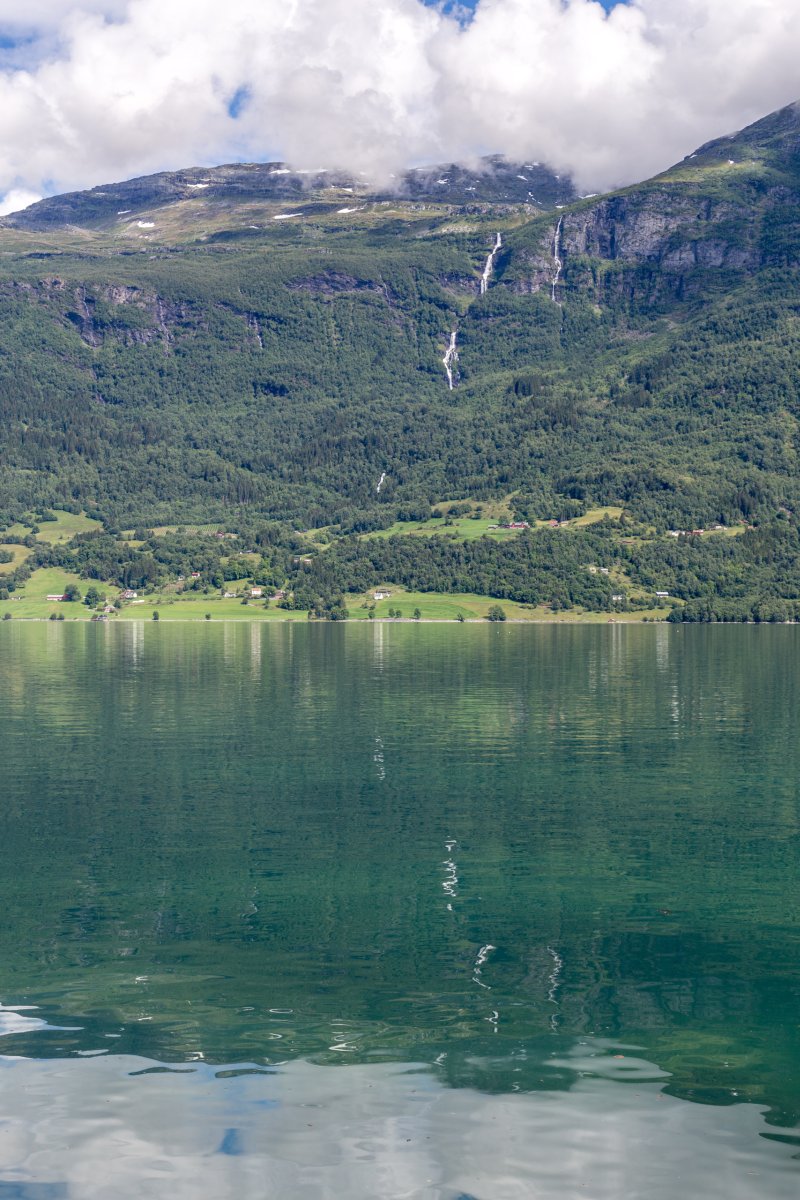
{"x":246,"y":345}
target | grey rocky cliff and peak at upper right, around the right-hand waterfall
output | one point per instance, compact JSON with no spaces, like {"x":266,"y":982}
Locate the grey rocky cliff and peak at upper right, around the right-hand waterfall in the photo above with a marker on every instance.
{"x":732,"y":207}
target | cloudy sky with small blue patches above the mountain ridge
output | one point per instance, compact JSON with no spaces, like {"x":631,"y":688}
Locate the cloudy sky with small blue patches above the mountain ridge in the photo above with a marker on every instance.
{"x":100,"y":91}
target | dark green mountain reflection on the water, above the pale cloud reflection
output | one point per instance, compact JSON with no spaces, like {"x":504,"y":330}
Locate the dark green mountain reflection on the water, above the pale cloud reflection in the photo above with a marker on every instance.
{"x":201,"y":833}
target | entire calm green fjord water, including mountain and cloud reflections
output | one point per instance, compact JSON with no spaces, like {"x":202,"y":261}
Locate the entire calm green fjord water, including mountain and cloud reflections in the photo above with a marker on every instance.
{"x":400,"y":911}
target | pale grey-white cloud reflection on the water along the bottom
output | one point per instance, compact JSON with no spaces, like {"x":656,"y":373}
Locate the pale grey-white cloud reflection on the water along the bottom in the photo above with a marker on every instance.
{"x":372,"y":1131}
